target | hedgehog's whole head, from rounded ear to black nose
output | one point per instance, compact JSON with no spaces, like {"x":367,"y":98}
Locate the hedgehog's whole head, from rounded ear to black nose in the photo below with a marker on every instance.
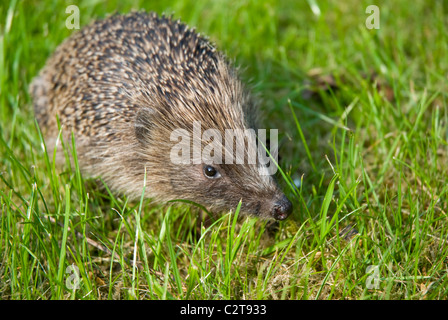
{"x":215,"y":167}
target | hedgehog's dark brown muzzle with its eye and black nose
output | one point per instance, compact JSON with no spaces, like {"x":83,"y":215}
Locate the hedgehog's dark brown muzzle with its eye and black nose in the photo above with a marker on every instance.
{"x":220,"y":188}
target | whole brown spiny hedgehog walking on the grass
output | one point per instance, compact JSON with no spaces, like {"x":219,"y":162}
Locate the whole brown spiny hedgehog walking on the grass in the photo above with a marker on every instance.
{"x":122,"y":85}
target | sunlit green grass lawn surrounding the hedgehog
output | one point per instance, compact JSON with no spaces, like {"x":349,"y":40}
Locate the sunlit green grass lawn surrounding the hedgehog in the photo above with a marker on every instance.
{"x":363,"y":118}
